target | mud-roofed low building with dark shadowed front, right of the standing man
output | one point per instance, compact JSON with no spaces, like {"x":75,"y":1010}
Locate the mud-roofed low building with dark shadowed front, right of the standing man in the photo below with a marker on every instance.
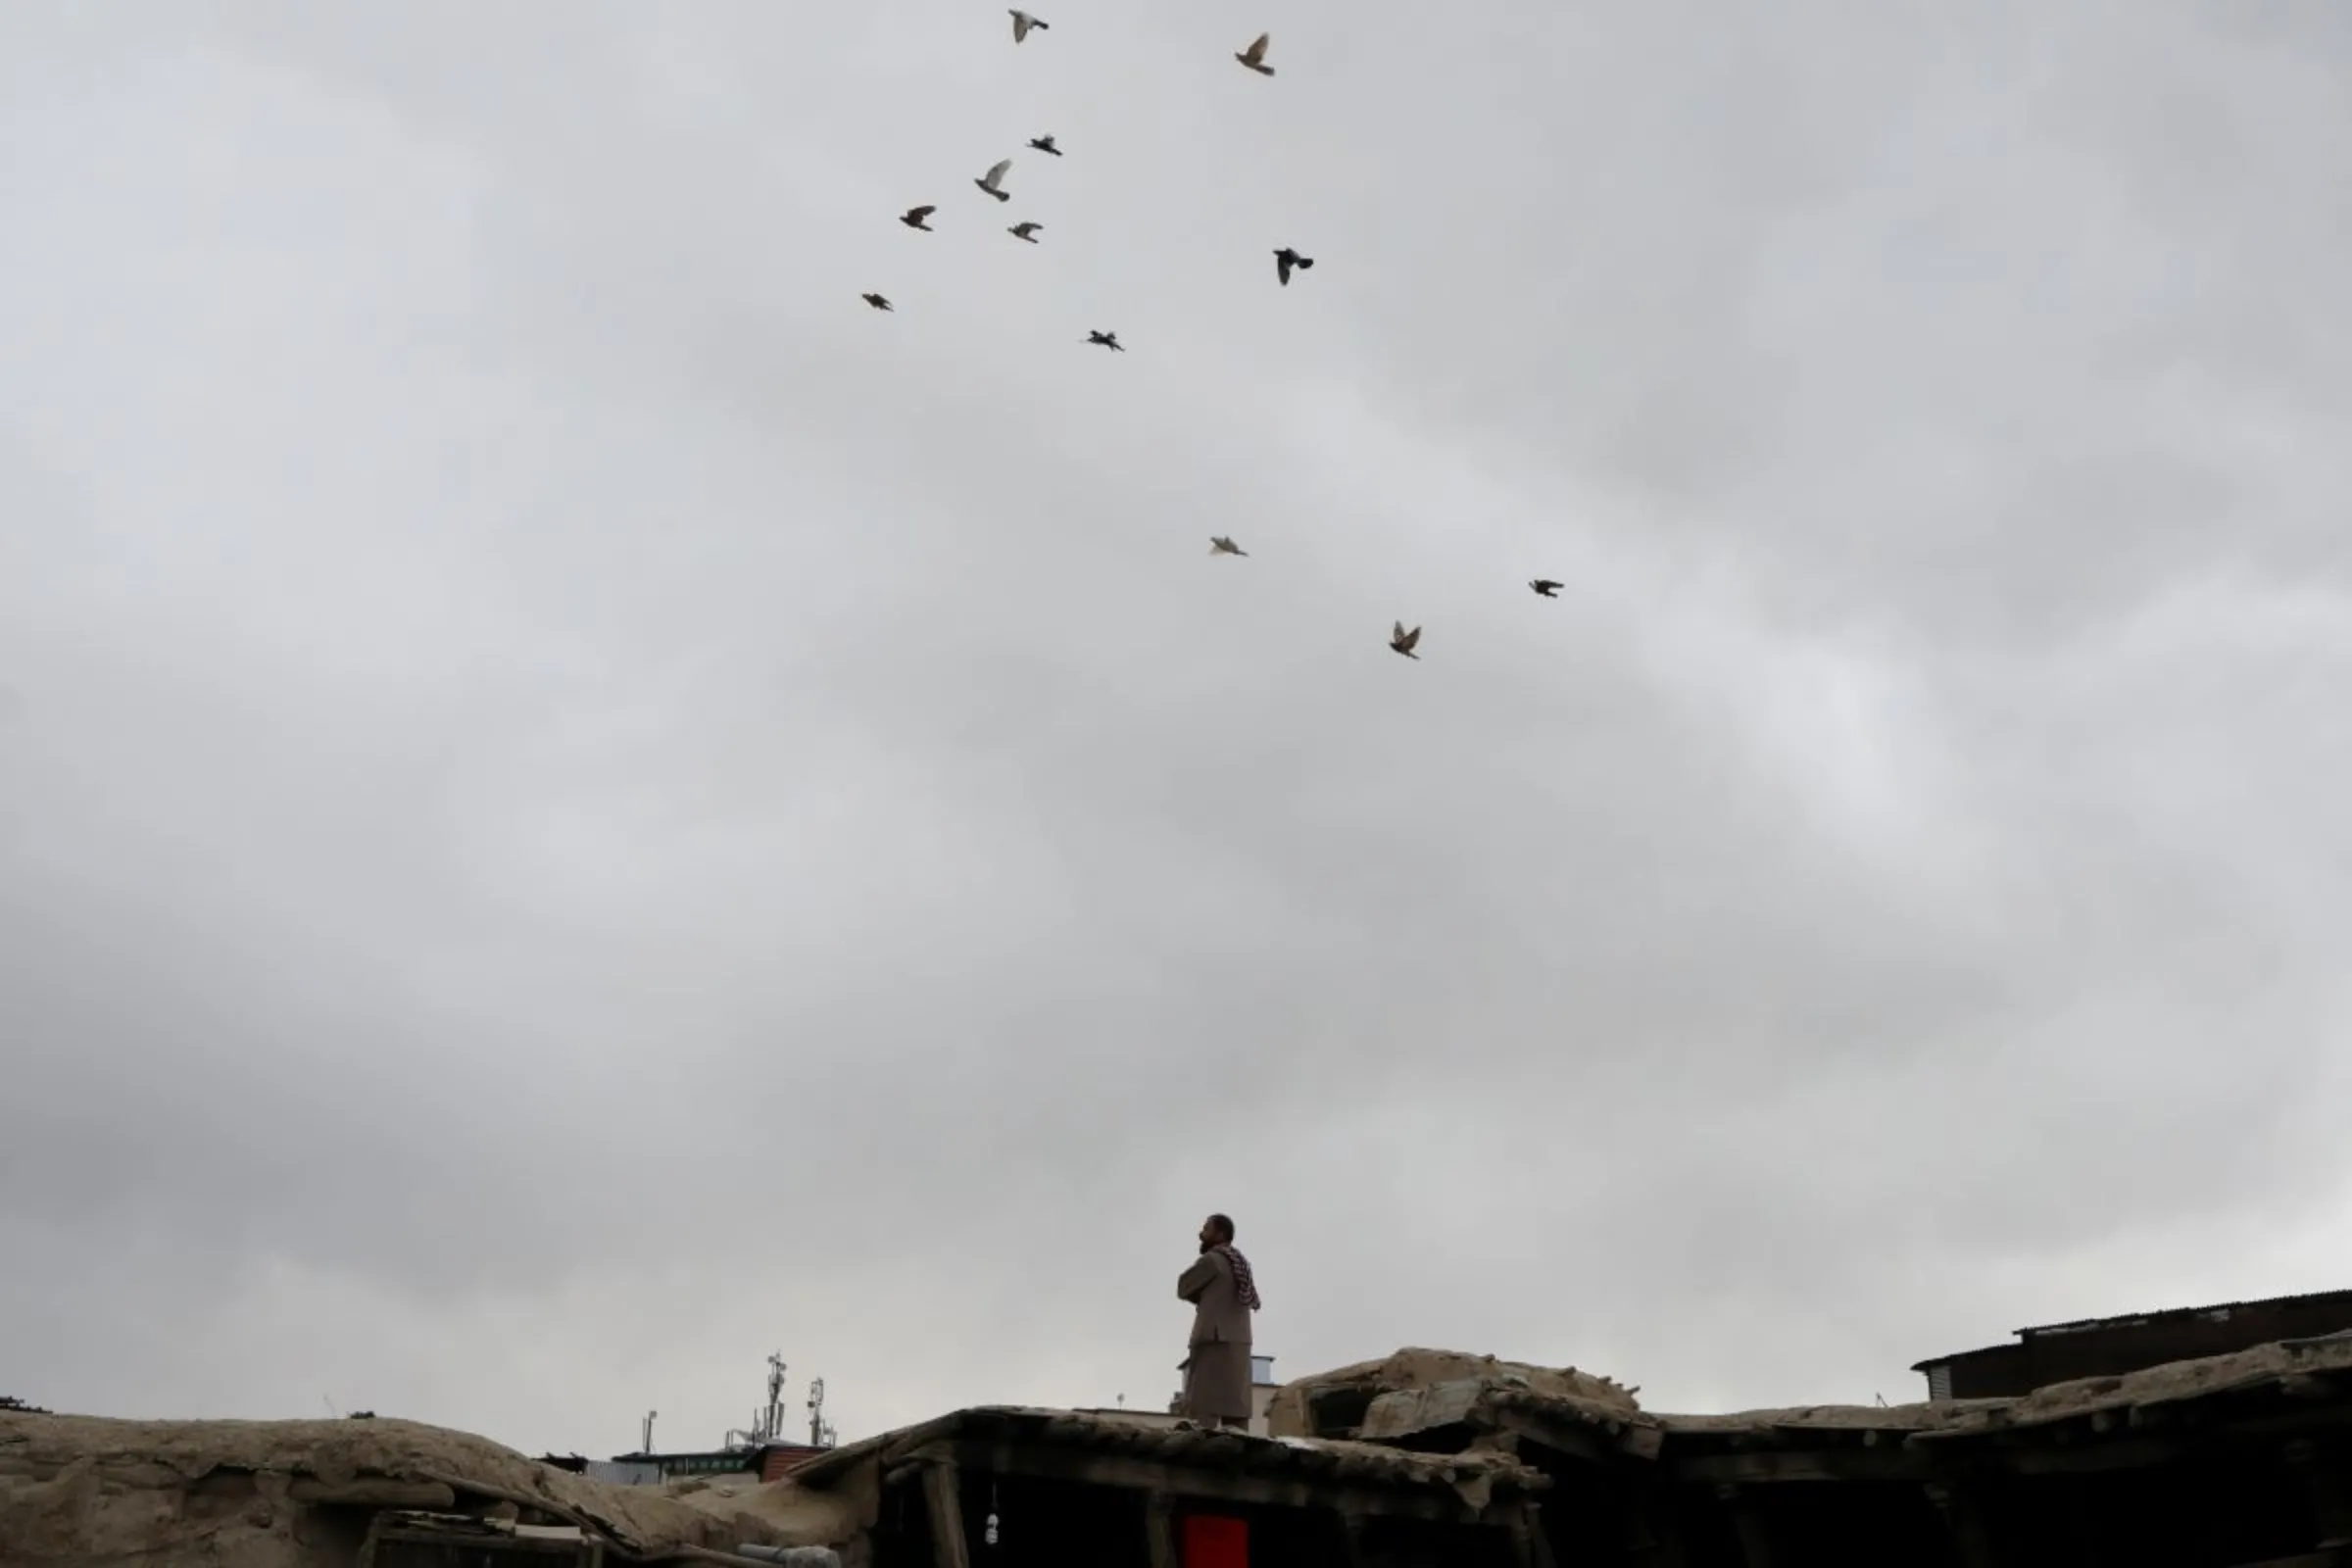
{"x":2224,"y":1463}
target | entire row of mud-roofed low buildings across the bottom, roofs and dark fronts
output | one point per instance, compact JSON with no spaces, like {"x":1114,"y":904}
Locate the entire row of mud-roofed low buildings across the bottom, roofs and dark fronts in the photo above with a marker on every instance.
{"x":1417,"y":1461}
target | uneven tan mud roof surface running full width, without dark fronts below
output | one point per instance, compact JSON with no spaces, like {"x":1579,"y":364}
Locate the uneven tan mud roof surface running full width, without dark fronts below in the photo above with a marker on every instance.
{"x":300,"y":1494}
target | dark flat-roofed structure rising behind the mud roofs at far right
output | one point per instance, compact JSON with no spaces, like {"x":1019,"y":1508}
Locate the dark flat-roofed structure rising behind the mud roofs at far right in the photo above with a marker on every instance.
{"x":2116,"y":1346}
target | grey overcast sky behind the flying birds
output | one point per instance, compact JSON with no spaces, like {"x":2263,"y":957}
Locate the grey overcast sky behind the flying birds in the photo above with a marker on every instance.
{"x":580,"y":808}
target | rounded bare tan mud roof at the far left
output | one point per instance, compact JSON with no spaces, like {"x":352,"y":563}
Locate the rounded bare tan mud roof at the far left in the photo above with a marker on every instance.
{"x":298,"y":1494}
